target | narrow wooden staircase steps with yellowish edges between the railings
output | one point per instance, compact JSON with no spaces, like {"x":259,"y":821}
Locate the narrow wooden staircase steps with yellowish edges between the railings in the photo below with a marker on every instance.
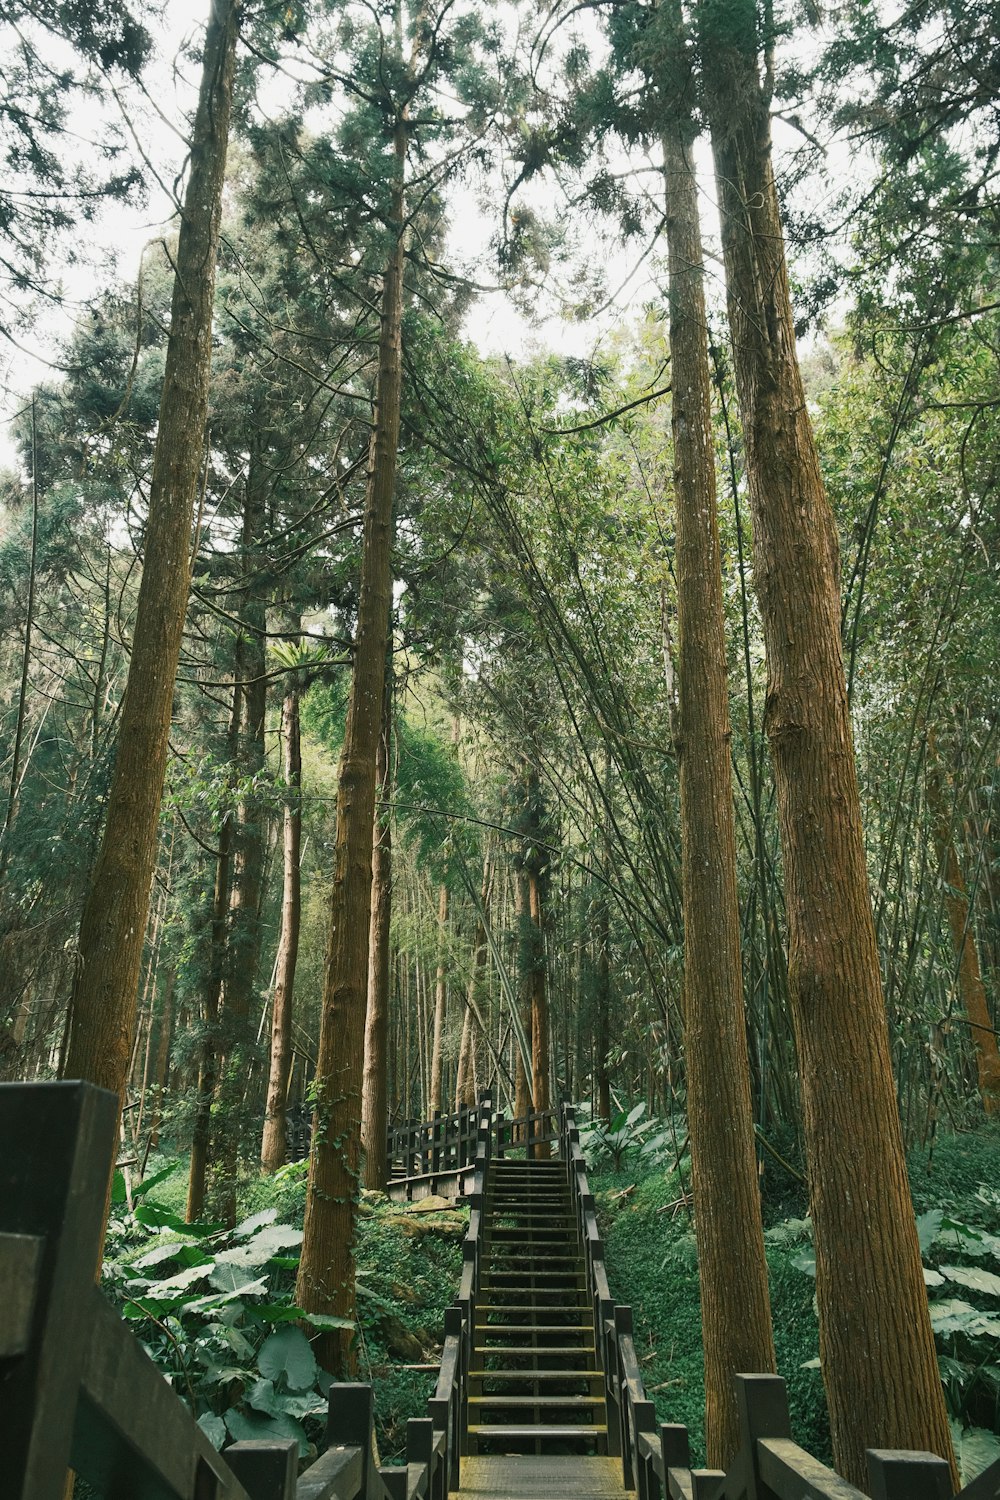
{"x":536,"y":1385}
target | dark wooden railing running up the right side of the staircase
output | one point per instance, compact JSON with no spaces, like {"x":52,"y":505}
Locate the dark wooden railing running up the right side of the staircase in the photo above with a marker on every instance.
{"x":770,"y":1466}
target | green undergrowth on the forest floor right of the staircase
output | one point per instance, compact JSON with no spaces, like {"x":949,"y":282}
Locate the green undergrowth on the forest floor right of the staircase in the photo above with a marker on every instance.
{"x":653,"y":1267}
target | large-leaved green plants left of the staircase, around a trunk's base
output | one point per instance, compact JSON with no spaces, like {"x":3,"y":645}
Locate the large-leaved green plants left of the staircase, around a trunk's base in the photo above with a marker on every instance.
{"x":217,"y":1312}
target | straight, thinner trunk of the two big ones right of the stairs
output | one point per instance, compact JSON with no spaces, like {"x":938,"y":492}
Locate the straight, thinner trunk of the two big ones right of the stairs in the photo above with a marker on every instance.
{"x":732,"y":1267}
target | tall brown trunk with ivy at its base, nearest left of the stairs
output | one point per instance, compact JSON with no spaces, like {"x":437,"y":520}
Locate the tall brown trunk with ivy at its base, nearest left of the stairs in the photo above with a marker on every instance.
{"x":326,"y":1271}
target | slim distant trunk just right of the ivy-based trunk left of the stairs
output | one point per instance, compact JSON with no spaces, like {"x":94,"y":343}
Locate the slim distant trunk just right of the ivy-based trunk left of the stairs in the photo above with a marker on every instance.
{"x":376,"y":1079}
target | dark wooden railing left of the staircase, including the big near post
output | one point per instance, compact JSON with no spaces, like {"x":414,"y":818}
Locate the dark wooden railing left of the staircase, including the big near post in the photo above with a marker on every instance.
{"x":79,"y":1391}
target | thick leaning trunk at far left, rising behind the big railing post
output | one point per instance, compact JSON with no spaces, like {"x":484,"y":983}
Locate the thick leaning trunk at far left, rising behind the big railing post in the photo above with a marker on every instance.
{"x":115,"y":916}
